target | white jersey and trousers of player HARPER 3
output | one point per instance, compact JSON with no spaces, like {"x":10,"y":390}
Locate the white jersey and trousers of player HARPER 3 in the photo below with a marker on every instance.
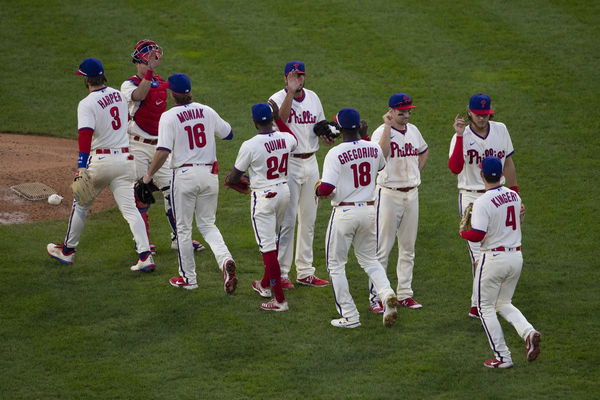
{"x":110,"y":164}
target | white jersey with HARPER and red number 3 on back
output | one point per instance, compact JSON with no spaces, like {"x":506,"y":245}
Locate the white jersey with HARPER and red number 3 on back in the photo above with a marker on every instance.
{"x":104,"y":111}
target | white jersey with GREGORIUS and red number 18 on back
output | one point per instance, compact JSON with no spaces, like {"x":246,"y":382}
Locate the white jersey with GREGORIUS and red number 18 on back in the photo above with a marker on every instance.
{"x":351,"y":167}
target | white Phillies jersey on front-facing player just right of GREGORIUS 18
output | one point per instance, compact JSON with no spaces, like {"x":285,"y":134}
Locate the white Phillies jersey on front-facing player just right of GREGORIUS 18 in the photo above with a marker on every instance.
{"x":402,"y":167}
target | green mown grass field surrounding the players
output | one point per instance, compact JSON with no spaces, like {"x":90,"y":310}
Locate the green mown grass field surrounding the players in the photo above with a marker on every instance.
{"x":95,"y":330}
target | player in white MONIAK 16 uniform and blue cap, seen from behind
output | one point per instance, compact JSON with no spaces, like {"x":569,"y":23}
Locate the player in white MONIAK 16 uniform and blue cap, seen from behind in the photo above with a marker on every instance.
{"x":187,"y":132}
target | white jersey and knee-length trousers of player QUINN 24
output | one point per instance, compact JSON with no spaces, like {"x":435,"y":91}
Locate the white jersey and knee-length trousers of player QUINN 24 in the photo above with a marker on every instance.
{"x":266,"y":157}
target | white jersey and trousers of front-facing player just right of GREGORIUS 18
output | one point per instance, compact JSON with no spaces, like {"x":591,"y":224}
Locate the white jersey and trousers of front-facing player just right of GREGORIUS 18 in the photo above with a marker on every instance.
{"x":397,"y":204}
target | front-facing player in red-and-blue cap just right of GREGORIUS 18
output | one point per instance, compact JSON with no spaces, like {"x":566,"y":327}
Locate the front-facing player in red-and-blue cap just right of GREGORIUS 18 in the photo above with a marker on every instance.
{"x":397,"y":200}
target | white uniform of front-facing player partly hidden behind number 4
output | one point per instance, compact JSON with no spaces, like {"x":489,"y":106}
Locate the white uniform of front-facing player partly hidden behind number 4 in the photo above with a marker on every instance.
{"x":470,"y":185}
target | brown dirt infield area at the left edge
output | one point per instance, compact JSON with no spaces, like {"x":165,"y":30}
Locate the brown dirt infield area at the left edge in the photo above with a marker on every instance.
{"x":51,"y":161}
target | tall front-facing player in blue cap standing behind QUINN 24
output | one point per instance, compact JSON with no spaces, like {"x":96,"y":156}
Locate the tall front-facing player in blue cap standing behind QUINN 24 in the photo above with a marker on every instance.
{"x":299,"y":110}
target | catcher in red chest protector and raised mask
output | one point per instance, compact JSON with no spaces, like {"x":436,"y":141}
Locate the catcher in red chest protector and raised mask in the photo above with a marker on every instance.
{"x":146,"y":94}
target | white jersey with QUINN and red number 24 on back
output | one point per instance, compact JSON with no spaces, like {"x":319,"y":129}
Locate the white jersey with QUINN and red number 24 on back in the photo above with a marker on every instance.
{"x":265,"y":157}
